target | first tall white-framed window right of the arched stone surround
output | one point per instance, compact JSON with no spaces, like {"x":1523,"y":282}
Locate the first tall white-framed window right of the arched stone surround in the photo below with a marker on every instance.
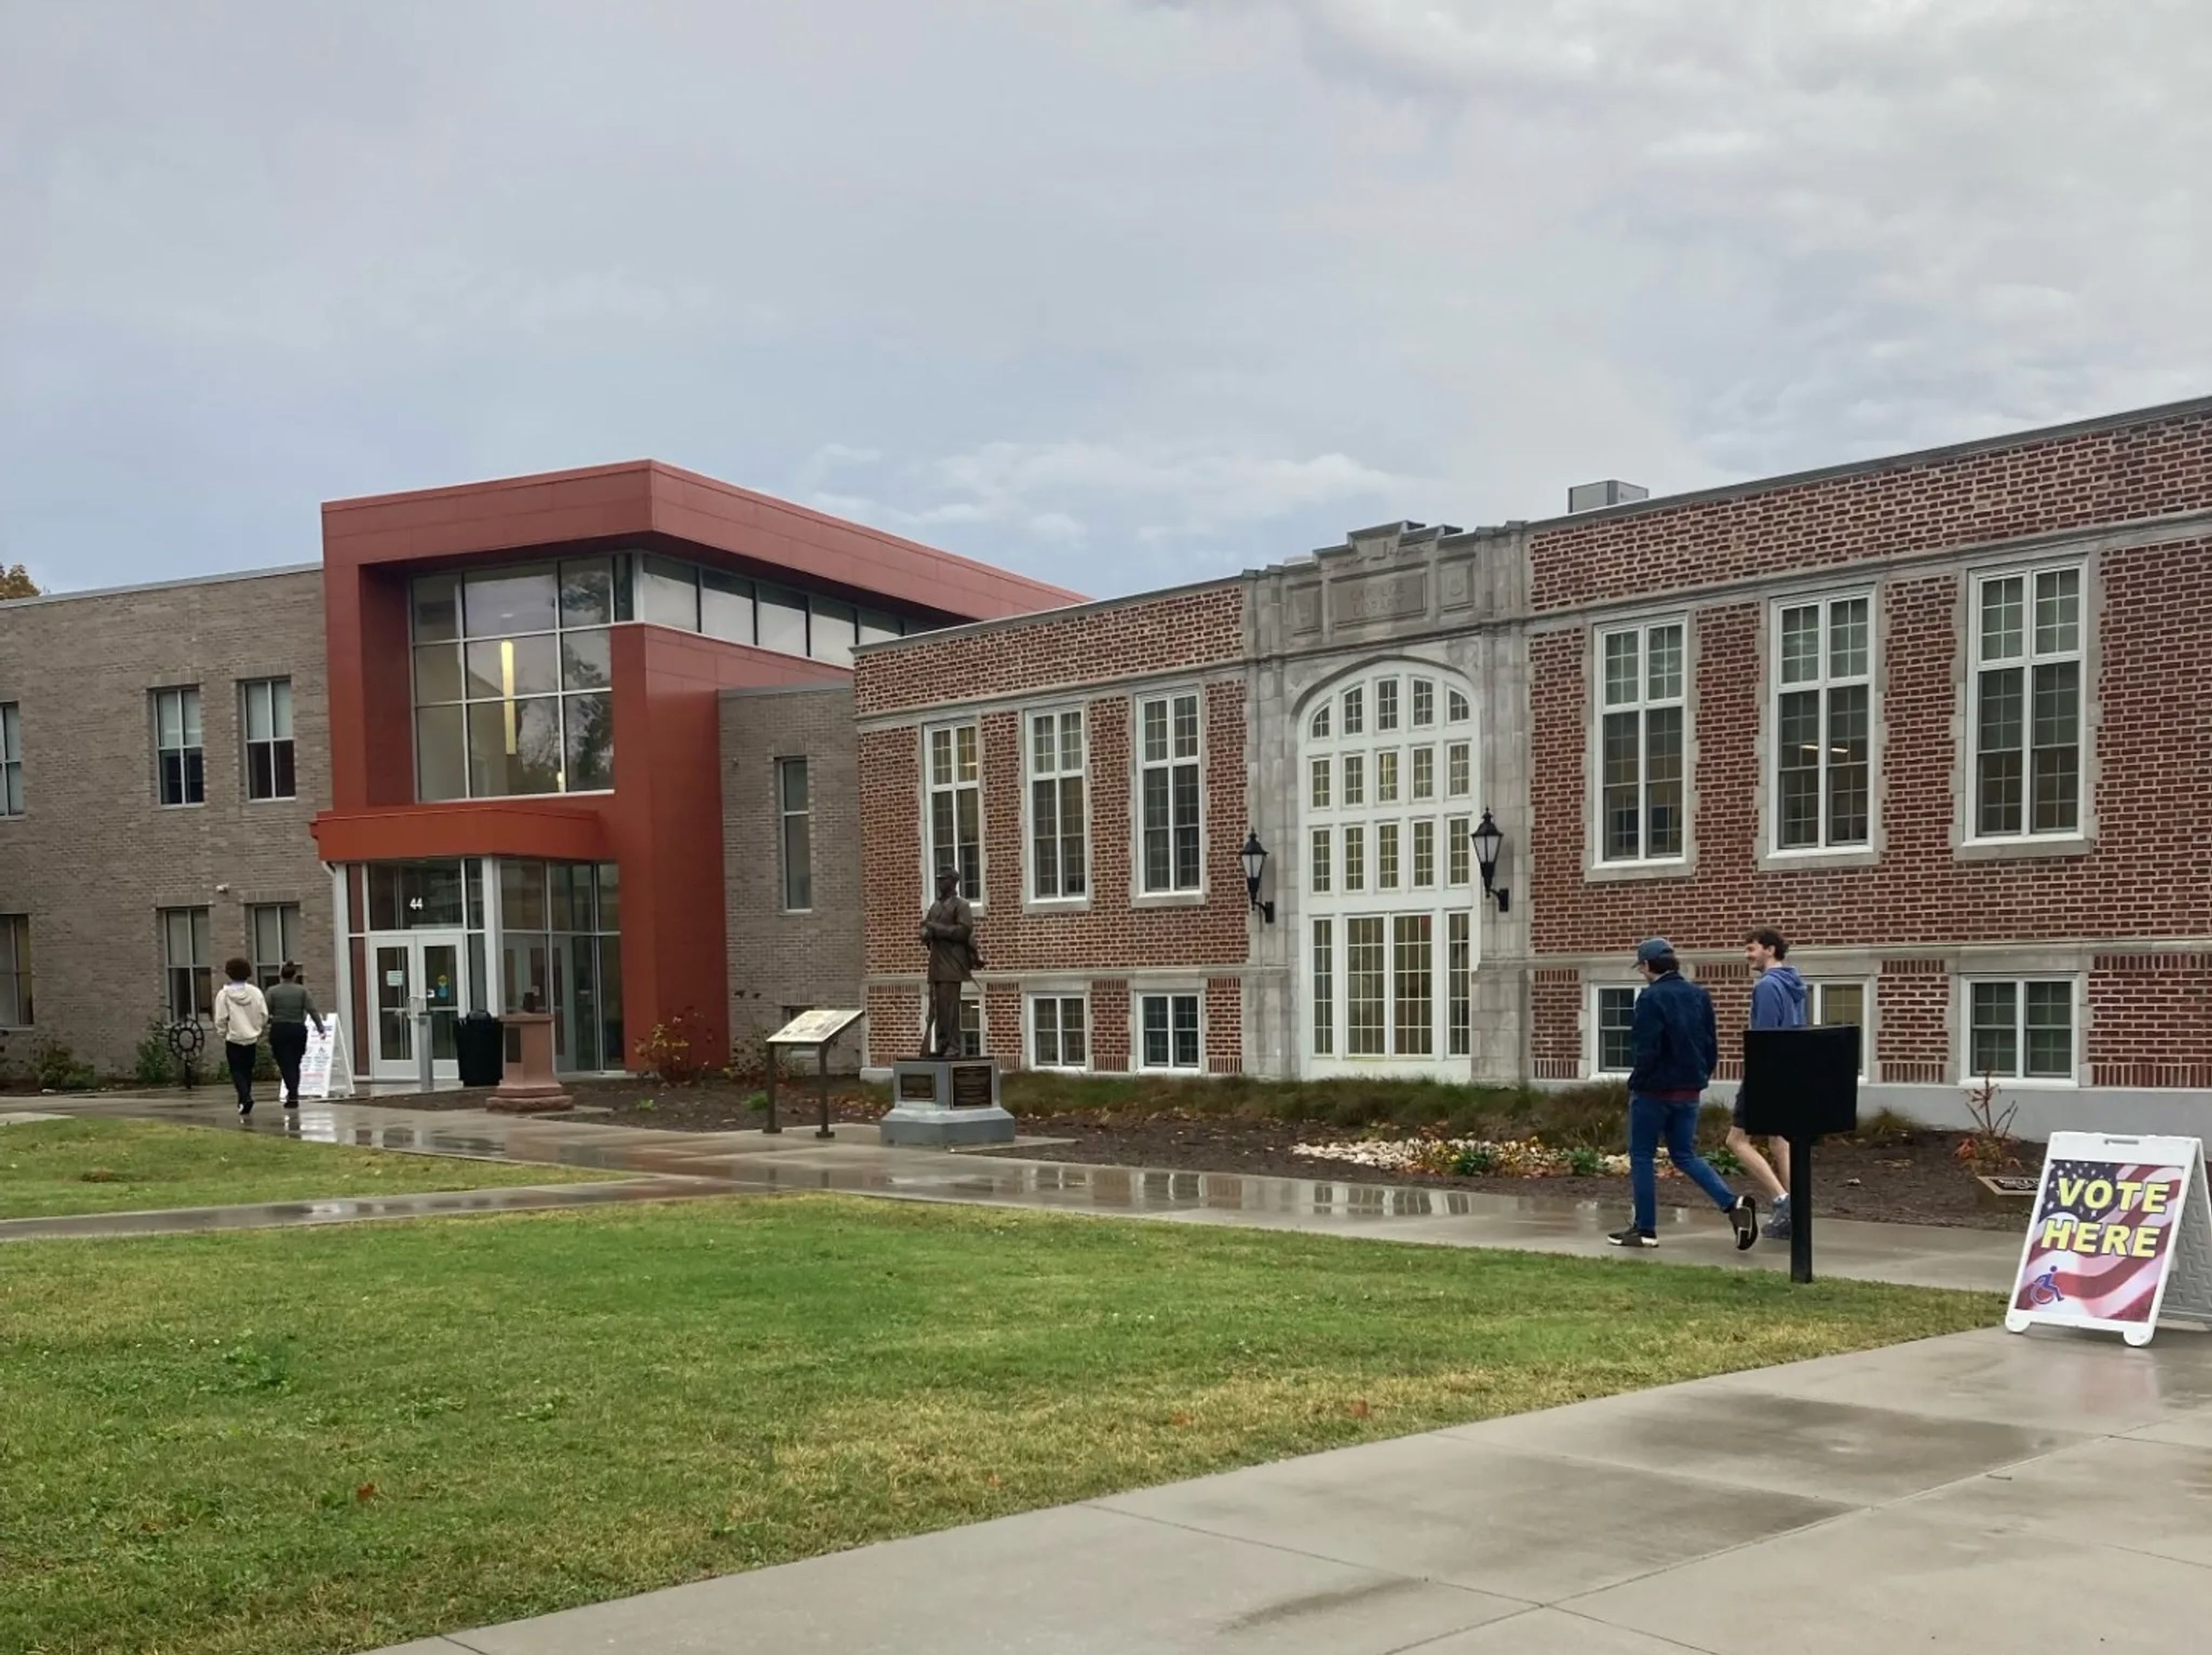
{"x":1640,"y":742}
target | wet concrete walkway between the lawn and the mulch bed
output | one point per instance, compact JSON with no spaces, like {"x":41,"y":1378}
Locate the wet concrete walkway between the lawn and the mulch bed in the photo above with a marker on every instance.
{"x":691,"y":1165}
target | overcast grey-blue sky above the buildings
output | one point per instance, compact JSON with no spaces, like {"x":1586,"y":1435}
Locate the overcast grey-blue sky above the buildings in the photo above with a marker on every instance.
{"x":1109,"y":293}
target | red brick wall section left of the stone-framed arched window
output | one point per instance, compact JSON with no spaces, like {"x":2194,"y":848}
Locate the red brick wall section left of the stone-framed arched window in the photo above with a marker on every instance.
{"x":1116,"y":933}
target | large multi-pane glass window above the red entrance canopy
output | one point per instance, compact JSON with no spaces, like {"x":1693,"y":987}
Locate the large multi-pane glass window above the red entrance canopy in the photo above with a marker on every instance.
{"x":512,"y":678}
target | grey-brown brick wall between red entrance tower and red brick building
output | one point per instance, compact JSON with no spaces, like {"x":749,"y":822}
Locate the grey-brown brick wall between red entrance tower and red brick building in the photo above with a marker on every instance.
{"x":791,"y":959}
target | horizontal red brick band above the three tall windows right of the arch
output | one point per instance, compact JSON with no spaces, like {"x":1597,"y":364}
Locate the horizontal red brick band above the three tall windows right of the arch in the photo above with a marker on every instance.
{"x":2118,"y":475}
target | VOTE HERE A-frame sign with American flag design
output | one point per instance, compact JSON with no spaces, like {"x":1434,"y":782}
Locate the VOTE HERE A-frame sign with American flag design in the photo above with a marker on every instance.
{"x":2122,"y":1236}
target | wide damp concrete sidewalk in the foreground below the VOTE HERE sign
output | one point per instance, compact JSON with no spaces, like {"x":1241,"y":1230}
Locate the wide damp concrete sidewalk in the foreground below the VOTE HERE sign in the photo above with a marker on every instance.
{"x":1985,"y":1492}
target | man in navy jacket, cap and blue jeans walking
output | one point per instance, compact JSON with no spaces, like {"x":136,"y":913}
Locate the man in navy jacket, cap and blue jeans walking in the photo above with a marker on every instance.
{"x":1676,"y":1048}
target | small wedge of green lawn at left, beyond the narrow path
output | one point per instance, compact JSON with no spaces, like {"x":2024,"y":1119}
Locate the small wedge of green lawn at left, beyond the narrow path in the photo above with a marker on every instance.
{"x":132,"y":1165}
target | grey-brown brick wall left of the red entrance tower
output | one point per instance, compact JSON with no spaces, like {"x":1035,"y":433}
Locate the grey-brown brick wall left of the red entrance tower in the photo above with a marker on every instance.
{"x":94,"y":857}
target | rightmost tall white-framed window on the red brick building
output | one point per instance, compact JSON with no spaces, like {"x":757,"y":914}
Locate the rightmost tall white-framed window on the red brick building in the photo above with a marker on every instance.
{"x":2027,"y":702}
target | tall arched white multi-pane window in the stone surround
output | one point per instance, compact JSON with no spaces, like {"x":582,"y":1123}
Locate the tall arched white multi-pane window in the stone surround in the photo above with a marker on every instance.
{"x":1388,"y":804}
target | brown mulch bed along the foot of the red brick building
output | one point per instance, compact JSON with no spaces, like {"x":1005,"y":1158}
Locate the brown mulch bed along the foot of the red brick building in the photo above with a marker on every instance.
{"x":1895,"y":1183}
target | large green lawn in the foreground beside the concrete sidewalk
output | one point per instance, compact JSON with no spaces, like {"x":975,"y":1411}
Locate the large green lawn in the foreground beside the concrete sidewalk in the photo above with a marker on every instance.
{"x":346,"y":1437}
